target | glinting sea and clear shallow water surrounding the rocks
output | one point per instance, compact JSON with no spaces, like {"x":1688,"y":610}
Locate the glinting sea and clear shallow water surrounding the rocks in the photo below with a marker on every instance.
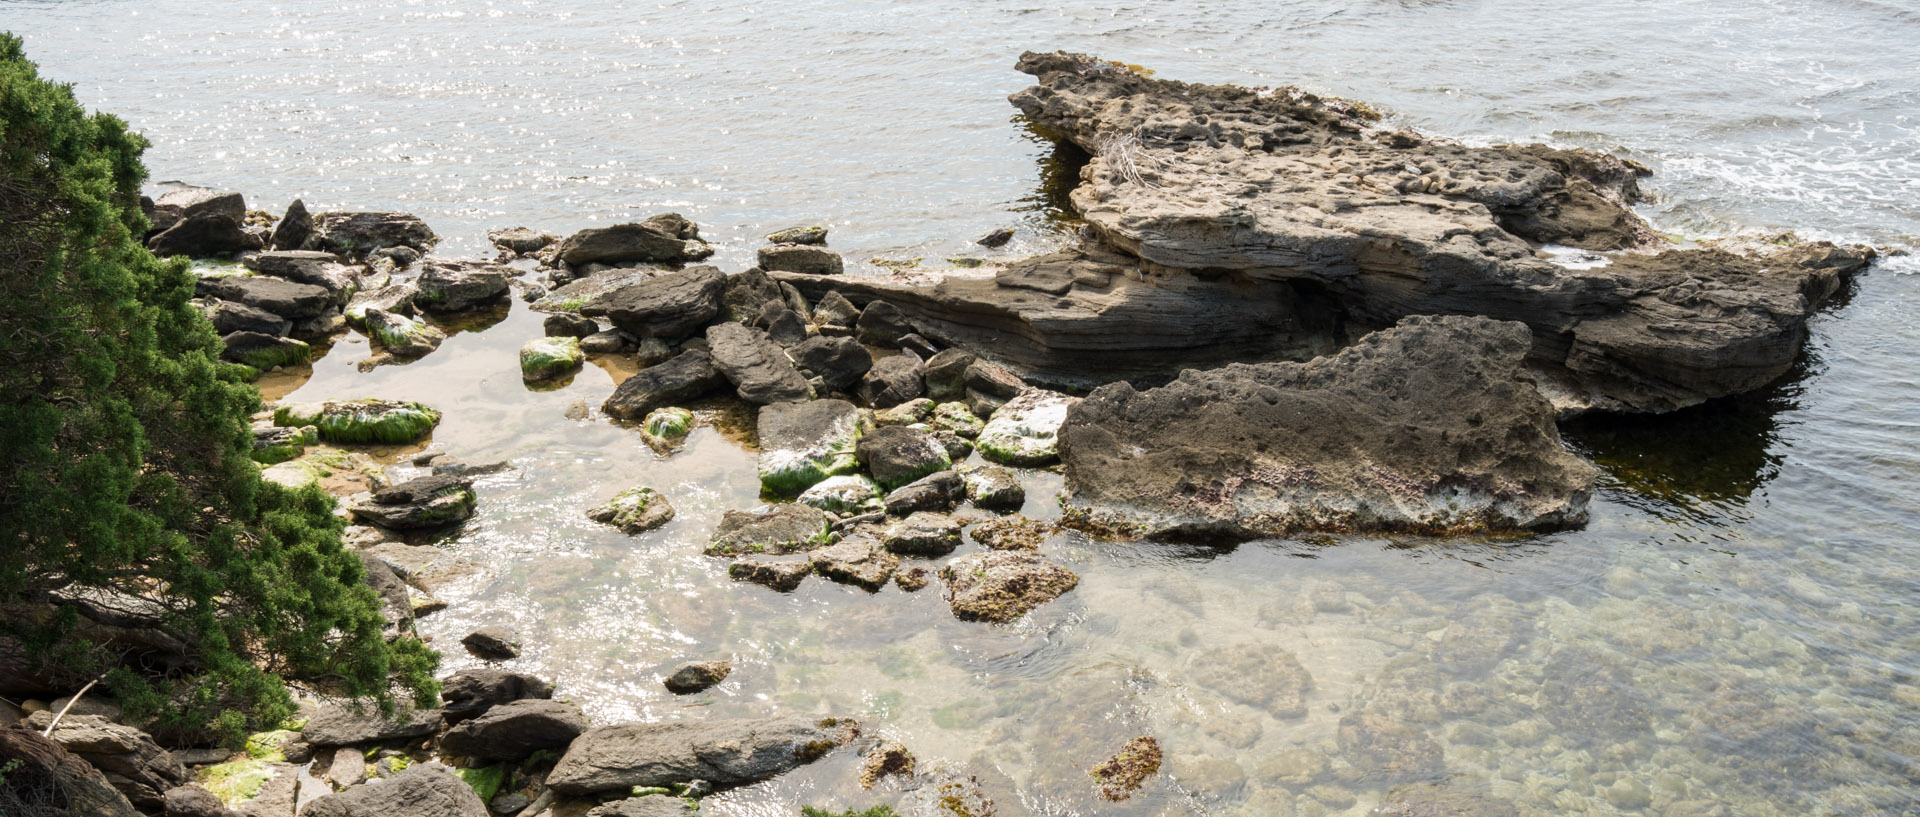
{"x":1735,"y":634}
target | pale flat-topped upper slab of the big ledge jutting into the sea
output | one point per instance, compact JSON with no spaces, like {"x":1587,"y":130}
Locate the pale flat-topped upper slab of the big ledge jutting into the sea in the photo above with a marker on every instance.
{"x":1285,"y":187}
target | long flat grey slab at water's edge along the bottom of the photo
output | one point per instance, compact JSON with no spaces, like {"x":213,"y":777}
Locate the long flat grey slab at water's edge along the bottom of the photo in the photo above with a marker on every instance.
{"x":727,"y":753}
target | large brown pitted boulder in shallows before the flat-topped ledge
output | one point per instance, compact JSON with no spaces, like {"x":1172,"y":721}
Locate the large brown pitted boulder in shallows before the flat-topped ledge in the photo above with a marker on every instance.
{"x":1428,"y":427}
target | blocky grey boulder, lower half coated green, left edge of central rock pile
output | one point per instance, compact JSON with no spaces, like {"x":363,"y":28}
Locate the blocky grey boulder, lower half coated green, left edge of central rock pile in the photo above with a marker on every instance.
{"x":804,"y":444}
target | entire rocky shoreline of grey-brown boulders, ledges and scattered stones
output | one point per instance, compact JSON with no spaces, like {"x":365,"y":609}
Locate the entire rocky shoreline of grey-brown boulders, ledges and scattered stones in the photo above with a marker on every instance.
{"x":1284,"y":317}
